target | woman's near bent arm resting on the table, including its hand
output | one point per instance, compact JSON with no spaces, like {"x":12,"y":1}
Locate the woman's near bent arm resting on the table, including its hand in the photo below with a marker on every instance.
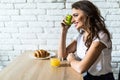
{"x":90,"y":57}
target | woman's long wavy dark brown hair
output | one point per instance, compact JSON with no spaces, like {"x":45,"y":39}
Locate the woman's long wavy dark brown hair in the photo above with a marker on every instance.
{"x":93,"y":20}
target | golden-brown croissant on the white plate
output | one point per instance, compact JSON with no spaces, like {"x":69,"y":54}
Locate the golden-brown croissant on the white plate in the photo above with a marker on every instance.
{"x":41,"y":53}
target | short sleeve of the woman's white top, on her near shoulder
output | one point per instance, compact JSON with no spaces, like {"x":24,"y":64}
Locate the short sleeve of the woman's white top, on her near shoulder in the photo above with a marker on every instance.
{"x":104,"y":39}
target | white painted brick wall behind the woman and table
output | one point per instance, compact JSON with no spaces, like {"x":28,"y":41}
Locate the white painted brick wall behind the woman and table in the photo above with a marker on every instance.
{"x":35,"y":24}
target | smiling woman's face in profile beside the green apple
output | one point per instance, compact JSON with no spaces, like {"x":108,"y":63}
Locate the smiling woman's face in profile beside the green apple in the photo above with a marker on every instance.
{"x":78,"y":18}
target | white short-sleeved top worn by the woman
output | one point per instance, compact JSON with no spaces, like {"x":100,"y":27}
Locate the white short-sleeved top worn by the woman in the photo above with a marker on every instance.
{"x":103,"y":64}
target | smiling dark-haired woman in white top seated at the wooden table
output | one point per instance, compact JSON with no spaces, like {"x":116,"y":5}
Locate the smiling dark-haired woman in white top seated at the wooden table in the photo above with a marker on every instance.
{"x":93,"y":45}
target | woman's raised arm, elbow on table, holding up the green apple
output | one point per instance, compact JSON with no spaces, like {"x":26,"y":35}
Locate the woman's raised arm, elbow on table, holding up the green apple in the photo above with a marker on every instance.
{"x":62,"y":50}
